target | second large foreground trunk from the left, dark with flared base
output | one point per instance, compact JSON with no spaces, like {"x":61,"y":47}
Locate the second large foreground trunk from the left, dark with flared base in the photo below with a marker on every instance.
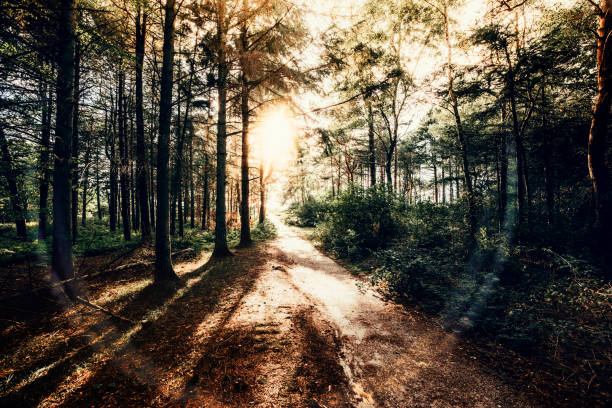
{"x":163,"y":261}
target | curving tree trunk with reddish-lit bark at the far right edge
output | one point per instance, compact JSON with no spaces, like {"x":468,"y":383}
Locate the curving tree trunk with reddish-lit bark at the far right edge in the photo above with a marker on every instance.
{"x":598,"y":168}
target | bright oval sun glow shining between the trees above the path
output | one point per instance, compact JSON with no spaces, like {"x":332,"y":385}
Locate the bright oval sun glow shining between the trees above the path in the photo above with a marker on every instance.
{"x":275,"y":133}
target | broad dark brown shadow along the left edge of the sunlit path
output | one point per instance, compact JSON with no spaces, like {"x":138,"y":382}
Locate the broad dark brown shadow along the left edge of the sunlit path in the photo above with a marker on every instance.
{"x":156,"y":357}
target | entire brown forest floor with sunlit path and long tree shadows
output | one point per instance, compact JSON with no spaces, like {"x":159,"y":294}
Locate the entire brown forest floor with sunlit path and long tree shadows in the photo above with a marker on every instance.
{"x":277,"y":325}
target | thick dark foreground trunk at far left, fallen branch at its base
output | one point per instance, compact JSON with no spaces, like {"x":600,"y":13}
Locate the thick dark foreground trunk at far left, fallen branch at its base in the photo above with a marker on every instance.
{"x":61,"y":258}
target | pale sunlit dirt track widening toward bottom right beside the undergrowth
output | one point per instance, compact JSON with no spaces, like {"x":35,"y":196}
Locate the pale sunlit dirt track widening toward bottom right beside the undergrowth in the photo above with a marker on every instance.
{"x":390,"y":358}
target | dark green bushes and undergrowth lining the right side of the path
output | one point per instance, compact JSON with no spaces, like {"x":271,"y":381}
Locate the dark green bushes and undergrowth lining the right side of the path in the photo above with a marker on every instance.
{"x":530,"y":299}
